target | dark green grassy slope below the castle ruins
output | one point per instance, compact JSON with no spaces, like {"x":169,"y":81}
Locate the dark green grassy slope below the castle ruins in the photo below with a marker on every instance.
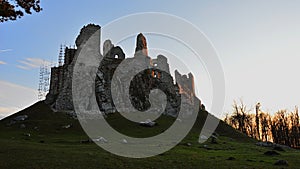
{"x":61,"y":148}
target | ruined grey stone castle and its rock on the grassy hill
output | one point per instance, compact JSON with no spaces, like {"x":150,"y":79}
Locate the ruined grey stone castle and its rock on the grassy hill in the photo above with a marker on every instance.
{"x":157,"y":76}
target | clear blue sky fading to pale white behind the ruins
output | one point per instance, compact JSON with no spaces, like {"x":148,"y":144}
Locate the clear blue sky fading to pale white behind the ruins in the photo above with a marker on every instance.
{"x":257,"y":43}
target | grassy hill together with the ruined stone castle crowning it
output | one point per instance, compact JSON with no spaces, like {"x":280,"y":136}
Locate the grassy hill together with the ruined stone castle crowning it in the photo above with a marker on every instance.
{"x":48,"y":135}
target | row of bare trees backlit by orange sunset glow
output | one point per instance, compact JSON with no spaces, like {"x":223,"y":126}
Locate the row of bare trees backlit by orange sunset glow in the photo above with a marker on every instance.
{"x":281,"y":128}
